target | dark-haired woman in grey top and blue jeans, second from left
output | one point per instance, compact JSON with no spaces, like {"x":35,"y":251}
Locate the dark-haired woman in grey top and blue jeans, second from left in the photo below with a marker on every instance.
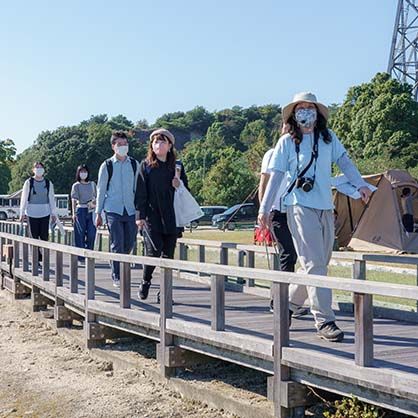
{"x":83,"y":196}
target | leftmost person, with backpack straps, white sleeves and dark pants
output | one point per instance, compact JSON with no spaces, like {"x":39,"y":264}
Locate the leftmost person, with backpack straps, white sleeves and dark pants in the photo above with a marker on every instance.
{"x":37,"y":203}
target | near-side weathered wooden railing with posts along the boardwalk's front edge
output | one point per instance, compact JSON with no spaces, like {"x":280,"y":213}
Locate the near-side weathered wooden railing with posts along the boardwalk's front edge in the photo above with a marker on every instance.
{"x":362,"y":290}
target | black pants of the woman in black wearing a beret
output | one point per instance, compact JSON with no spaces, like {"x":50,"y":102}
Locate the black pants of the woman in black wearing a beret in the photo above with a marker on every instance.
{"x":165,"y":245}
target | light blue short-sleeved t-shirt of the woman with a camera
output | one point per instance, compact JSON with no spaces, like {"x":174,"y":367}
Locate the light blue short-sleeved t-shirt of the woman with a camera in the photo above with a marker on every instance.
{"x":285,"y":159}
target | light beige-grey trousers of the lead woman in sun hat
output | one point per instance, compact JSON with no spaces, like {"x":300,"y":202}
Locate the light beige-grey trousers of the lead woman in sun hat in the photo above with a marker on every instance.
{"x":313,"y":235}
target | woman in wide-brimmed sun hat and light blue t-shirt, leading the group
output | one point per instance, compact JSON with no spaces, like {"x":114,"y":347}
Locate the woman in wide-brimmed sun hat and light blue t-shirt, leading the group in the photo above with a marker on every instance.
{"x":304,"y":157}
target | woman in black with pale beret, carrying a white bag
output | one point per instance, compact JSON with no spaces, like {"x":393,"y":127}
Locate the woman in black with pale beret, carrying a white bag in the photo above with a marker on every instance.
{"x":159,"y":176}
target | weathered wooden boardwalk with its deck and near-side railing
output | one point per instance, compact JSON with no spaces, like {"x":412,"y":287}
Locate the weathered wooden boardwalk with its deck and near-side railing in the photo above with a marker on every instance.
{"x":377,"y":361}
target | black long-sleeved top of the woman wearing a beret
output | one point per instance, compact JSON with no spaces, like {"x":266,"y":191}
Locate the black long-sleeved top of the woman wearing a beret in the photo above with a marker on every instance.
{"x":154,"y":197}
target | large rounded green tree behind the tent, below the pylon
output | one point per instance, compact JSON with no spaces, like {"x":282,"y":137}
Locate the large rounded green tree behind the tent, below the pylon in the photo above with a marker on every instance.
{"x":379,"y":118}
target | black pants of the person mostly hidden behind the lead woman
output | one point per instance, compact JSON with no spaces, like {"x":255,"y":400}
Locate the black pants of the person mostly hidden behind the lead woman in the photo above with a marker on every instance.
{"x":288,"y":256}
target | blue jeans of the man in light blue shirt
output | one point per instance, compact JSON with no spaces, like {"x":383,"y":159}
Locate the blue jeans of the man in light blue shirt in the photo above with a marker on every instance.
{"x":122,"y":231}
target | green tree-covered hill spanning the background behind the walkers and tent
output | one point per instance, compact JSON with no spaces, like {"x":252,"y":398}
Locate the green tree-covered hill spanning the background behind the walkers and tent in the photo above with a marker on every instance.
{"x":222,"y":150}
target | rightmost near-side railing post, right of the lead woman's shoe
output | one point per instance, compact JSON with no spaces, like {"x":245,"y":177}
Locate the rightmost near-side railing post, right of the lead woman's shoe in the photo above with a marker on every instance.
{"x":363,"y":317}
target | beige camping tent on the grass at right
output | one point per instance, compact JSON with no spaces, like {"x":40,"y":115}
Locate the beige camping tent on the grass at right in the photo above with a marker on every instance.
{"x":378,"y":226}
